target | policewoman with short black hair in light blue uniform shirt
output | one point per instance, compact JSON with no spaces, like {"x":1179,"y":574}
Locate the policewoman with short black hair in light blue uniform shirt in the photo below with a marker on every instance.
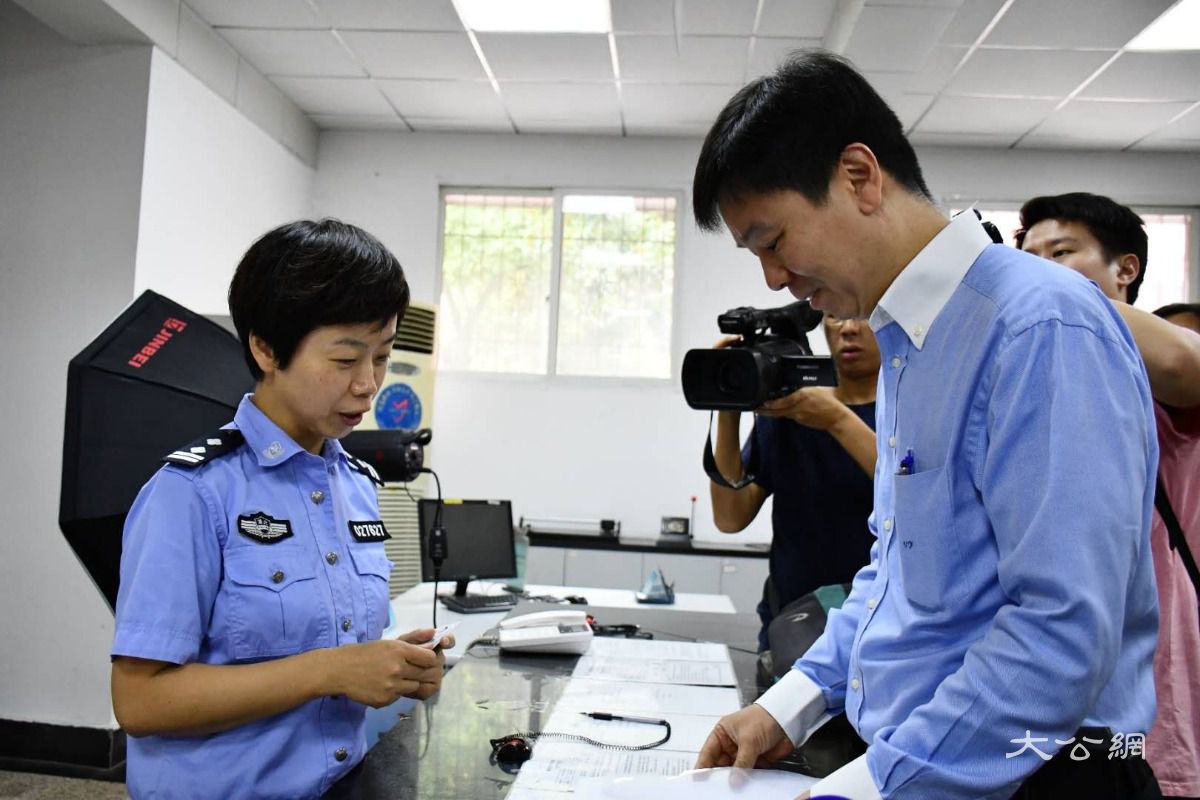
{"x":253,"y":597}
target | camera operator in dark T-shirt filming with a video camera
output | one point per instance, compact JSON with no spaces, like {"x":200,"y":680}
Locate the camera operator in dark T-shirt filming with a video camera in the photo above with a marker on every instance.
{"x":817,"y":455}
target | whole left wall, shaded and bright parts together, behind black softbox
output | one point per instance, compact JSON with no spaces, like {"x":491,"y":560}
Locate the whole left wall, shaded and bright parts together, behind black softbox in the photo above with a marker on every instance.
{"x":119,"y":172}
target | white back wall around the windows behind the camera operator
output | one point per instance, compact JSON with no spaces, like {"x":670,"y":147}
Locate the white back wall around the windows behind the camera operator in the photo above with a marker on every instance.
{"x":613,"y":449}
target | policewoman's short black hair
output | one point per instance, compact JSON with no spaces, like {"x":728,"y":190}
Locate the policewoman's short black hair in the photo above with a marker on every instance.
{"x":305,"y":275}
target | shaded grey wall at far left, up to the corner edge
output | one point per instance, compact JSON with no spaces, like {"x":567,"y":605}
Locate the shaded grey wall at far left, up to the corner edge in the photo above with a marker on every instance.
{"x":71,"y":135}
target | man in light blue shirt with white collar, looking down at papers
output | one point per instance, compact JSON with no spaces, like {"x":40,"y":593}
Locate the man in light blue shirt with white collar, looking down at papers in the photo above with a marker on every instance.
{"x":1000,"y":642}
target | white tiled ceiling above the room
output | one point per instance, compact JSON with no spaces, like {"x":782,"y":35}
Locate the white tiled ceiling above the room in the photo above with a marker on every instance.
{"x":977,"y":73}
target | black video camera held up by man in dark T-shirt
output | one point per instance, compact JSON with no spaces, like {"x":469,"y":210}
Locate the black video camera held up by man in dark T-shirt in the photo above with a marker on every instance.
{"x":763,"y":366}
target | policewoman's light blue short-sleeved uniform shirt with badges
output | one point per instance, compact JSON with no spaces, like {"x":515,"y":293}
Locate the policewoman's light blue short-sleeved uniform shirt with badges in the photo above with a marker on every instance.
{"x":260,"y":554}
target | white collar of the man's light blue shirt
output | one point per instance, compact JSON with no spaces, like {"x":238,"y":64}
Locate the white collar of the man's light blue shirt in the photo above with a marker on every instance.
{"x":925,"y":286}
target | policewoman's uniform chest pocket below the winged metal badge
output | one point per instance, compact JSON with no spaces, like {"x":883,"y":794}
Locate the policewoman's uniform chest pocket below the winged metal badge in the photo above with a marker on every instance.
{"x":275,"y":603}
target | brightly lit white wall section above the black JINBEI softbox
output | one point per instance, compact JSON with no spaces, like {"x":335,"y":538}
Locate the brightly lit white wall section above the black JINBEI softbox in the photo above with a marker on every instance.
{"x":213,"y":183}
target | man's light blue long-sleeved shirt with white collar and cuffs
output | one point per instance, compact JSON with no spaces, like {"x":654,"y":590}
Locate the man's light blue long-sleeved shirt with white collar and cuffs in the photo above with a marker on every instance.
{"x":1011,"y":588}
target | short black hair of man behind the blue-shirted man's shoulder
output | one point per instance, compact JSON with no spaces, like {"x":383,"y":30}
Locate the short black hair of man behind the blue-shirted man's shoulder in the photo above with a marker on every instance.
{"x":1117,"y":227}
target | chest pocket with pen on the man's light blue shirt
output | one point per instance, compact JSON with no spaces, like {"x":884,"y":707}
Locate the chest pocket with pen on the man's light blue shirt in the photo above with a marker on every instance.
{"x":926,"y":540}
